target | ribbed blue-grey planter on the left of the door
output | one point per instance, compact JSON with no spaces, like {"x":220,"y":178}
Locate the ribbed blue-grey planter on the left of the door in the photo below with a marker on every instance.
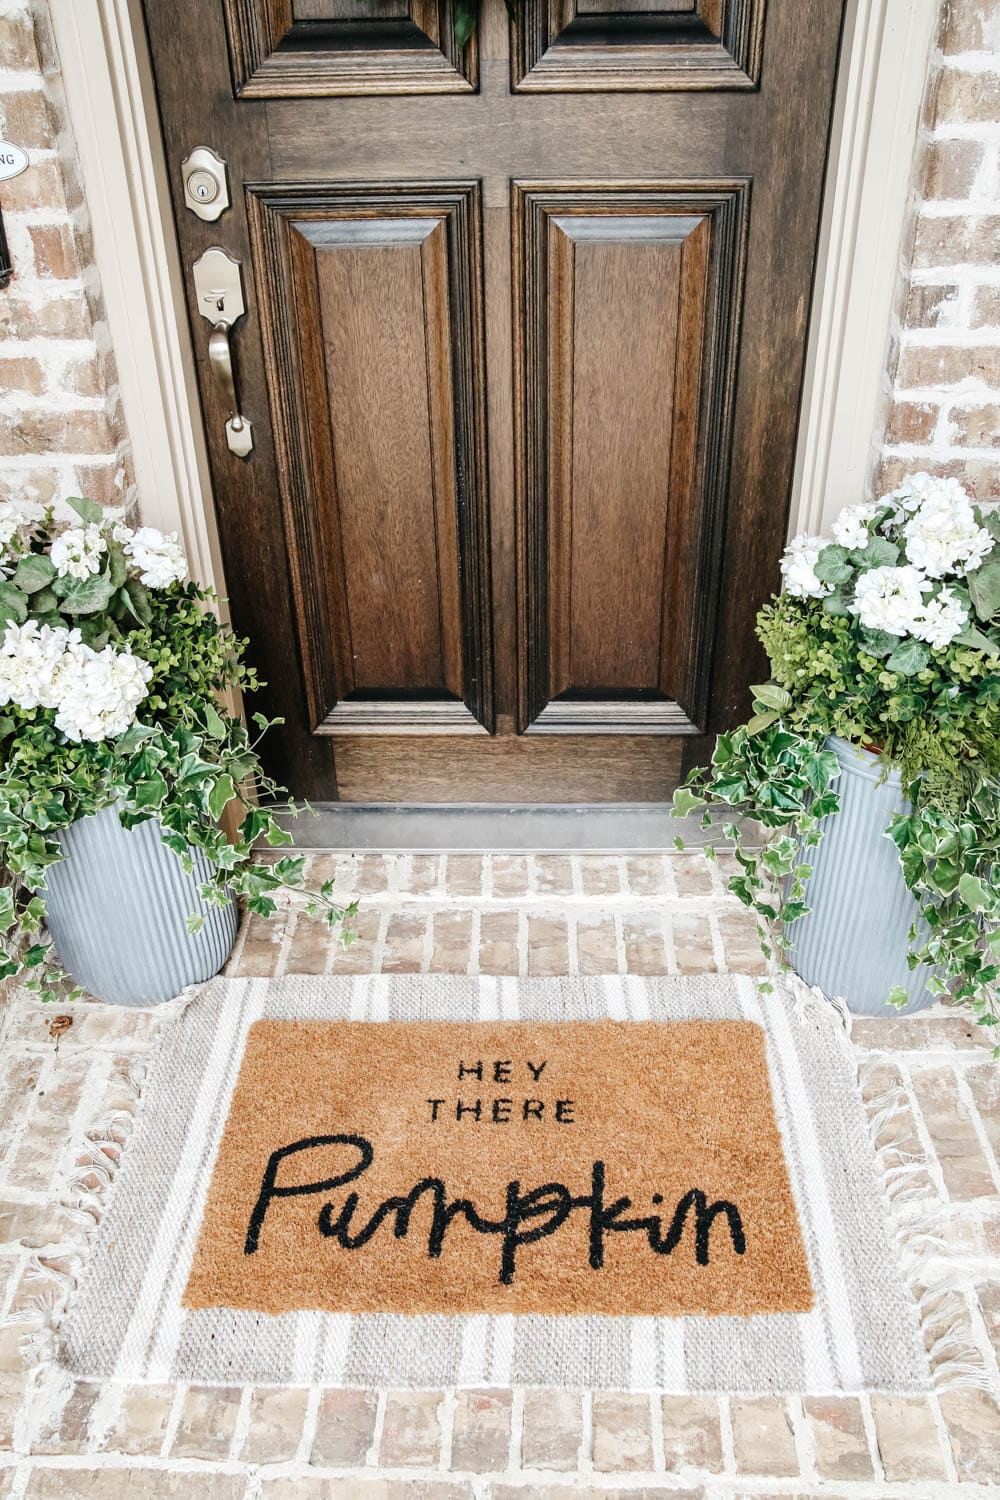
{"x":118,"y":908}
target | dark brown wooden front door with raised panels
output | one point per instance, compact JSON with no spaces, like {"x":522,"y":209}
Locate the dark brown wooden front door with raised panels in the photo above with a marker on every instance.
{"x":522,"y":355}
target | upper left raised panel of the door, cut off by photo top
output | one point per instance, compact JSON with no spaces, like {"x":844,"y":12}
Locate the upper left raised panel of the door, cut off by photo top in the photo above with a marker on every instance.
{"x":299,"y":49}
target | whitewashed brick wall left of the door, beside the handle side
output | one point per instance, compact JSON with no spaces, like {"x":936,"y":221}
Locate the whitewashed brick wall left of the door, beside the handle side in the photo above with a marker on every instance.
{"x":61,"y":428}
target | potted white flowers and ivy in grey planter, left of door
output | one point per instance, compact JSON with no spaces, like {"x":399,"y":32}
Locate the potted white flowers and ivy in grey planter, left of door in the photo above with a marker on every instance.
{"x":118,"y":761}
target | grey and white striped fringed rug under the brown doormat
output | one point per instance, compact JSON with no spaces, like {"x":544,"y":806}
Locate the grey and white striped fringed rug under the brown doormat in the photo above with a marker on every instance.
{"x":130,"y":1319}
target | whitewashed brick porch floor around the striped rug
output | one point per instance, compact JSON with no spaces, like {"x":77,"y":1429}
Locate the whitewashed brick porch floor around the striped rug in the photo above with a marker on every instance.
{"x":507,"y":914}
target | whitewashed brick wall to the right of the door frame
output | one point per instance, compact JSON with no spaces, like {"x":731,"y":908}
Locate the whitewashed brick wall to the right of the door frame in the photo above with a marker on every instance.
{"x":944,"y":412}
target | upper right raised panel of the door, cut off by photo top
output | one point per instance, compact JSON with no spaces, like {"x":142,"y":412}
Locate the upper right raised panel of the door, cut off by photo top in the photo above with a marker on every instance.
{"x":582,"y":46}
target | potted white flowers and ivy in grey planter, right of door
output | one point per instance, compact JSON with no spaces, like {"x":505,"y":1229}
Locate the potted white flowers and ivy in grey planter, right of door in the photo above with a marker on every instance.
{"x":873,"y":757}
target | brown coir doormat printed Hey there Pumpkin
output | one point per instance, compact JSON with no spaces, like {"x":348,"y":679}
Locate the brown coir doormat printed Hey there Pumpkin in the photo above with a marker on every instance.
{"x":503,"y":1168}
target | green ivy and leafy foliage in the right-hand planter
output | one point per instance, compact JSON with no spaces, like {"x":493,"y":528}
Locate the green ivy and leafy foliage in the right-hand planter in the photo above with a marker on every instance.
{"x":932,"y":713}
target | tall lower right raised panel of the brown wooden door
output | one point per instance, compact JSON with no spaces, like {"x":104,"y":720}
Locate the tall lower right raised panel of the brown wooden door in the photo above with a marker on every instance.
{"x":627,"y":332}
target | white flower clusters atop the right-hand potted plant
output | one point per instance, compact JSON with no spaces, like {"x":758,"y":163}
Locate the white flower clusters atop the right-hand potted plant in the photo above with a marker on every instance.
{"x":902,"y":565}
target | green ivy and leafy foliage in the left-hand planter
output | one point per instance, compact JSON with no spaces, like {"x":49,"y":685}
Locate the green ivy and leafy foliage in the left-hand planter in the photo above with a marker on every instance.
{"x":184,"y":761}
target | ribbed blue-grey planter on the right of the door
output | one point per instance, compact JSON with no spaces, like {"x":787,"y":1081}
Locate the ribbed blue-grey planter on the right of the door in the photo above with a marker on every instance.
{"x":854,"y":943}
